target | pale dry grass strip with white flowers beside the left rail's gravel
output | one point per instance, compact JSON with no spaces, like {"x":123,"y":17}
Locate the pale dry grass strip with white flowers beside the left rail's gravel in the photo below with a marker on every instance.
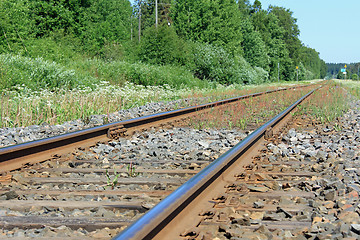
{"x":24,"y":107}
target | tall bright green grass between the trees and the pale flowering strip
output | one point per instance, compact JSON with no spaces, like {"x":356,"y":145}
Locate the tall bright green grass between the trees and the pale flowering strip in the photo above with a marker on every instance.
{"x":35,"y":73}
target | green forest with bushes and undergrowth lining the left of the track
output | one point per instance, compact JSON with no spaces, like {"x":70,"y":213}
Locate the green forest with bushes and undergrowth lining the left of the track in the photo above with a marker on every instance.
{"x":191,"y":42}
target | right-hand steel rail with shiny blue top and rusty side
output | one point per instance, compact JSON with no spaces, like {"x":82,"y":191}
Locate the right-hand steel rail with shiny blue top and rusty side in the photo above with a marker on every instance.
{"x":150,"y":224}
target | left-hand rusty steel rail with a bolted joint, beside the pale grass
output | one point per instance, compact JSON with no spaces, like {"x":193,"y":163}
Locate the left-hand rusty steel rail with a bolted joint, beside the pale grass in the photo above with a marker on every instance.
{"x":15,"y":156}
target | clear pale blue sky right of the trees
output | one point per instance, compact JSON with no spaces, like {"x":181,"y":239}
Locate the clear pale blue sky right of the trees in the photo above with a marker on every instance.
{"x":331,"y":27}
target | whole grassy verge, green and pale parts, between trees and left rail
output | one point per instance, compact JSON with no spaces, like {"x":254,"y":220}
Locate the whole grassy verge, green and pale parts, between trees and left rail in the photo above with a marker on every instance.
{"x":36,"y":91}
